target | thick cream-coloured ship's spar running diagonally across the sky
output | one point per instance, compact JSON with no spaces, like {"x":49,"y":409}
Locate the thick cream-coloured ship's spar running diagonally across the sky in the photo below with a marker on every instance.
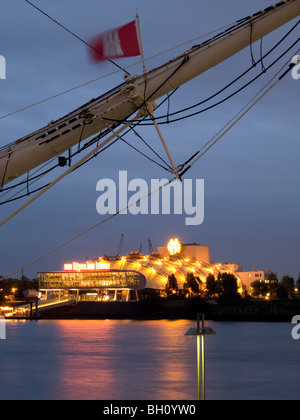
{"x":109,"y":110}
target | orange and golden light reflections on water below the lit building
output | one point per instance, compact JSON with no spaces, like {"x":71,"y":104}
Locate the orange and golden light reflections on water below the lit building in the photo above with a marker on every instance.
{"x":126,"y":360}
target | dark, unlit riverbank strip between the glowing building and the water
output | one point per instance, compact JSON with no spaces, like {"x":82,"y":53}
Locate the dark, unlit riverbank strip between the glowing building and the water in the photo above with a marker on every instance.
{"x":178,"y":309}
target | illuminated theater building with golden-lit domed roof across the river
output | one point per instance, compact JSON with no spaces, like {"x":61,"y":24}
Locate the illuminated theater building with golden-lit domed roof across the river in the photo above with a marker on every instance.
{"x":120,"y":279}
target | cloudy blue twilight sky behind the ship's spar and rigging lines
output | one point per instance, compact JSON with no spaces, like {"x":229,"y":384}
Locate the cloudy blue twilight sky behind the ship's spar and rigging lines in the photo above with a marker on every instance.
{"x":252,"y":196}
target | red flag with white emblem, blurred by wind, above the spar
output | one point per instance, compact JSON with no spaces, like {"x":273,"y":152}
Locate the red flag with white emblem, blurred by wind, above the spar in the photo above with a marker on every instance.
{"x":116,"y":43}
